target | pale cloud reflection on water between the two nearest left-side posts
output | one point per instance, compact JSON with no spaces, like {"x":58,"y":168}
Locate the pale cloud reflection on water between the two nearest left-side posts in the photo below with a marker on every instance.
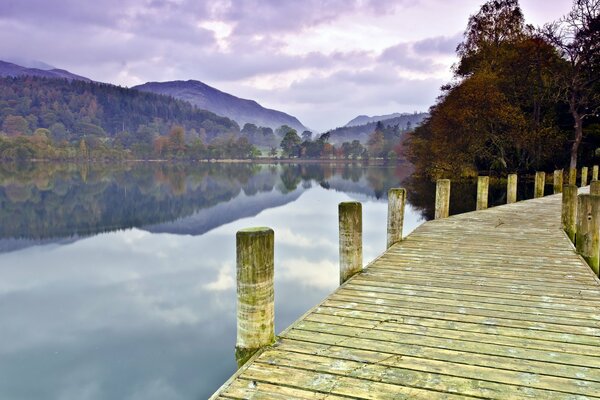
{"x":322,"y":275}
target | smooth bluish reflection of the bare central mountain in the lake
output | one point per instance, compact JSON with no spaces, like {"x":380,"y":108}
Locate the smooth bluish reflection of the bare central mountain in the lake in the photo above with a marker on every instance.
{"x":242,"y":206}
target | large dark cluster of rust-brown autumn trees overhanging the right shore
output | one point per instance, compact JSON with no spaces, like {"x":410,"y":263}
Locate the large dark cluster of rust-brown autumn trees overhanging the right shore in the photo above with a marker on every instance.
{"x":522,"y":99}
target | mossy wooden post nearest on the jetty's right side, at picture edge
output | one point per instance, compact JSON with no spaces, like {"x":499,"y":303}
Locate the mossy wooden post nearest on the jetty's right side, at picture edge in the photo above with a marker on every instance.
{"x":587,"y":237}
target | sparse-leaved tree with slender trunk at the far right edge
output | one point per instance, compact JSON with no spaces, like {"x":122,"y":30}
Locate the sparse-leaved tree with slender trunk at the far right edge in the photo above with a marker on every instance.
{"x":577,"y":39}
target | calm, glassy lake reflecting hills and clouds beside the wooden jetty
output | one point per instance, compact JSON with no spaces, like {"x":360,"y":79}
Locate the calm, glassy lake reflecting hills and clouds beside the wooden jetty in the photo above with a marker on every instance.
{"x":118,"y":282}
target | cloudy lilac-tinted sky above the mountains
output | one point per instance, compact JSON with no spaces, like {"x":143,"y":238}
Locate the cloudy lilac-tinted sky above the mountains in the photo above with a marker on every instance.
{"x":323,"y":61}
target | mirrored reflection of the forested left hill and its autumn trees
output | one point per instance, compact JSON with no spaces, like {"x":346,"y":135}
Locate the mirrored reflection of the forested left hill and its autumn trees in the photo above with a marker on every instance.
{"x":58,"y":200}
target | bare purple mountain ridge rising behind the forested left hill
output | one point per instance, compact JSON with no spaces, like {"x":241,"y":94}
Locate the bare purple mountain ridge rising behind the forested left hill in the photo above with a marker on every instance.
{"x":206,"y":97}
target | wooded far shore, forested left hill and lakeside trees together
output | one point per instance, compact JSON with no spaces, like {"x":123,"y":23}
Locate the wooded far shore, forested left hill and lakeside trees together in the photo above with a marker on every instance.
{"x":57,"y":119}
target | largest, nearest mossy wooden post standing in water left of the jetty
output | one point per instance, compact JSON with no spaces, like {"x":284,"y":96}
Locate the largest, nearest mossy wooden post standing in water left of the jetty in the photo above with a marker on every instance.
{"x":255,"y":294}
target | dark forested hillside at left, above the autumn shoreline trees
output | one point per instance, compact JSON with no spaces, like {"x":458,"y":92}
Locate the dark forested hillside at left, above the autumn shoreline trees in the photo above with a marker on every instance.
{"x":72,"y":109}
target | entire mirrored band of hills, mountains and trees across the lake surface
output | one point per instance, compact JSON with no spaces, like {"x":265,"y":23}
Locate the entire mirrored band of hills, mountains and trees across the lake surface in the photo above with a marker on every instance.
{"x":56,"y":202}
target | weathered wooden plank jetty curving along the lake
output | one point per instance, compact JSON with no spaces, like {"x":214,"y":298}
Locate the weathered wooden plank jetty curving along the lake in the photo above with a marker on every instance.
{"x":493,"y":304}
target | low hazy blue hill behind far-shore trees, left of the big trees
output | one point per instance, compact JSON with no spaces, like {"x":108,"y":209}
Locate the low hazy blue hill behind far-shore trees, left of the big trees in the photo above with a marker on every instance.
{"x":404,"y":122}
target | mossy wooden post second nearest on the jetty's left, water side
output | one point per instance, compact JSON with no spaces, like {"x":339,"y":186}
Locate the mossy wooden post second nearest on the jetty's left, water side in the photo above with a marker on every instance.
{"x":350,"y":221}
